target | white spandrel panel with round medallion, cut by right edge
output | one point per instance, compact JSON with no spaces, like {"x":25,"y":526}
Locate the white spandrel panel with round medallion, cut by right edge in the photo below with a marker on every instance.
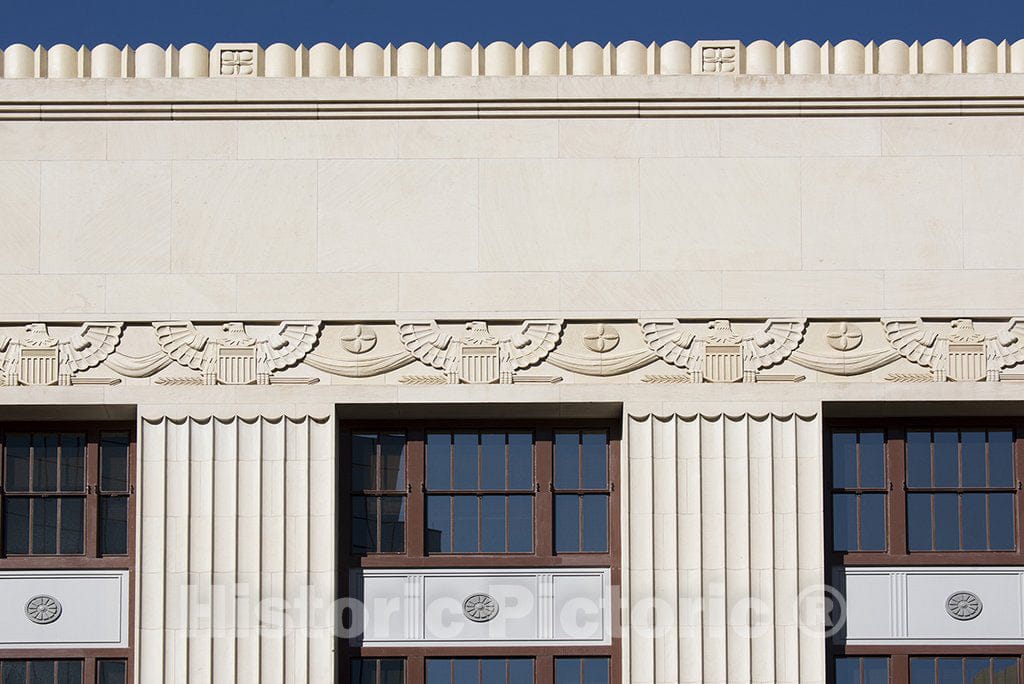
{"x":911,"y":606}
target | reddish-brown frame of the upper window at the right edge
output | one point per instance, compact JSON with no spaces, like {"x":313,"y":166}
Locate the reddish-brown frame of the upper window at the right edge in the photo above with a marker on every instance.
{"x":898,"y":547}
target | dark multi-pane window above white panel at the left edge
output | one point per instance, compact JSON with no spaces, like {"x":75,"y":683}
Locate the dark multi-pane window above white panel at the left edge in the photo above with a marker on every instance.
{"x":59,"y":487}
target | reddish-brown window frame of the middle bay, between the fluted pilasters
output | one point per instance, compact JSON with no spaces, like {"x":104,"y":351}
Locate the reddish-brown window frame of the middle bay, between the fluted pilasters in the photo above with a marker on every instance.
{"x":544,"y":555}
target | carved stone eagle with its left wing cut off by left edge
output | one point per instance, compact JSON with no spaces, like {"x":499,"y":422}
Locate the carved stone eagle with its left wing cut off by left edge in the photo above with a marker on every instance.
{"x":36,"y":359}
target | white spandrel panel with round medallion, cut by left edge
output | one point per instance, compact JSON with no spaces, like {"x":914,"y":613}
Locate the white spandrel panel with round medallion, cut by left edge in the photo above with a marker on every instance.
{"x":92,"y":610}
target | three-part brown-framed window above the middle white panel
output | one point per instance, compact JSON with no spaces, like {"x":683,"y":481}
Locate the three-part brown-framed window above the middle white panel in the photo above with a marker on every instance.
{"x":428,"y":496}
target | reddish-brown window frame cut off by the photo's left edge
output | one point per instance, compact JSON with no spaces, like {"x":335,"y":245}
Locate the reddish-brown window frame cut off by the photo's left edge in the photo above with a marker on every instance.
{"x":91,"y":560}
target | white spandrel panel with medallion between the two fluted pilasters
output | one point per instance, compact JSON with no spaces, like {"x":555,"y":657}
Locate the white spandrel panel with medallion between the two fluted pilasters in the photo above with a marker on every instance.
{"x":552,"y":607}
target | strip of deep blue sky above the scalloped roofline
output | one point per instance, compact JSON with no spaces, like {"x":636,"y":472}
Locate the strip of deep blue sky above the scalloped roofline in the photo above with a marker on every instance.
{"x":309,"y":22}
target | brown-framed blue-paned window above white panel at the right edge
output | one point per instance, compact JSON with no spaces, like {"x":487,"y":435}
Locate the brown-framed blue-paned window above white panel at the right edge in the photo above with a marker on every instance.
{"x":910,"y":492}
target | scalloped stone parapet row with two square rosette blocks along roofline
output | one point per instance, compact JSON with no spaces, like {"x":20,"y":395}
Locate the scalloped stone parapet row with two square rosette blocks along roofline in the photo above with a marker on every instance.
{"x":724,"y":58}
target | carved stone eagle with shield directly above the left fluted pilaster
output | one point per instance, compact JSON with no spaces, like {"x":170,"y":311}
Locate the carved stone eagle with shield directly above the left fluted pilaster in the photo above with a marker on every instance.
{"x":236,"y":358}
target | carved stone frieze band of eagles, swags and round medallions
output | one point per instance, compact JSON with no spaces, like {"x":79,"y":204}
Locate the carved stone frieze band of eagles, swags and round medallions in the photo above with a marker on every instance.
{"x":671,"y":352}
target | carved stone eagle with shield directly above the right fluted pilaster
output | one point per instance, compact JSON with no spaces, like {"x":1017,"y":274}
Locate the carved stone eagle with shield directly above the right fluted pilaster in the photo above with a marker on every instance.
{"x":722,"y":355}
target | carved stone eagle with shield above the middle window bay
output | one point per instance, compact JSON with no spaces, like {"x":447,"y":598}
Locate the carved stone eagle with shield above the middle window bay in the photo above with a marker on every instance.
{"x":480,"y":357}
